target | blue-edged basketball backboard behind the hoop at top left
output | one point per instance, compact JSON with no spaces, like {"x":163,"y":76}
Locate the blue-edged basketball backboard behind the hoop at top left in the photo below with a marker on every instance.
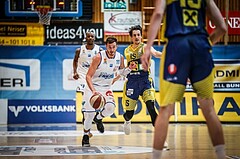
{"x":27,"y":8}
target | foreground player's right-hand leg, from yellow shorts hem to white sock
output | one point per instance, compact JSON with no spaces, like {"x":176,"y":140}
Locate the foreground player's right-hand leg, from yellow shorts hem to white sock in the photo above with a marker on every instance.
{"x":204,"y":90}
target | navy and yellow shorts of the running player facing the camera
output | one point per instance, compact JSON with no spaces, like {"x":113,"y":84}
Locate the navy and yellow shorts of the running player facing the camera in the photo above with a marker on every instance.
{"x":135,"y":88}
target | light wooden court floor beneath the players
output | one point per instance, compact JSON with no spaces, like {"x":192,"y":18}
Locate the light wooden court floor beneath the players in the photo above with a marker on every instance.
{"x":186,"y":141}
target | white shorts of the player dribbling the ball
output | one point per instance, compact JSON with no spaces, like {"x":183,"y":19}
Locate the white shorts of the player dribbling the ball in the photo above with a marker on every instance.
{"x":106,"y":92}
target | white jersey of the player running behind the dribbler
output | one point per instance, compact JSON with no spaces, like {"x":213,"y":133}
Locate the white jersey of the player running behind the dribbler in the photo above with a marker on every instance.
{"x":84,"y":60}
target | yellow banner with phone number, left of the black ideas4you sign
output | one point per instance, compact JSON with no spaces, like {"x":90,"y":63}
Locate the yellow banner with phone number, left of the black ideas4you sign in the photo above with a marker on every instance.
{"x":21,"y":34}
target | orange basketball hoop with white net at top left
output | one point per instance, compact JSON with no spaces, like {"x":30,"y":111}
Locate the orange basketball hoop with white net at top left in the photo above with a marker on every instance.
{"x":44,"y":14}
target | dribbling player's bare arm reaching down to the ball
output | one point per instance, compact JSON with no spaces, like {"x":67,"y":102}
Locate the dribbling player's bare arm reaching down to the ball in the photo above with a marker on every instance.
{"x":92,"y":69}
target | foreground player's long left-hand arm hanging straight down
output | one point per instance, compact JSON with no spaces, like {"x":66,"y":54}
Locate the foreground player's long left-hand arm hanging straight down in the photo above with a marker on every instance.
{"x":155,"y":24}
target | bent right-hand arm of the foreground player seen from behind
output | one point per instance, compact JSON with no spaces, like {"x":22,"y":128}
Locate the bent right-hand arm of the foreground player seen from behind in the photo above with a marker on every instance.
{"x":215,"y":16}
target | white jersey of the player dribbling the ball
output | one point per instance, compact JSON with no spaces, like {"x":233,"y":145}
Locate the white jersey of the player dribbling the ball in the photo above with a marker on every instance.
{"x":106,"y":70}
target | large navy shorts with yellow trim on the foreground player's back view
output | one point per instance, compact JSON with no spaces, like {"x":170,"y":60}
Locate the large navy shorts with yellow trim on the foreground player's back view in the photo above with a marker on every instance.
{"x":186,"y":57}
